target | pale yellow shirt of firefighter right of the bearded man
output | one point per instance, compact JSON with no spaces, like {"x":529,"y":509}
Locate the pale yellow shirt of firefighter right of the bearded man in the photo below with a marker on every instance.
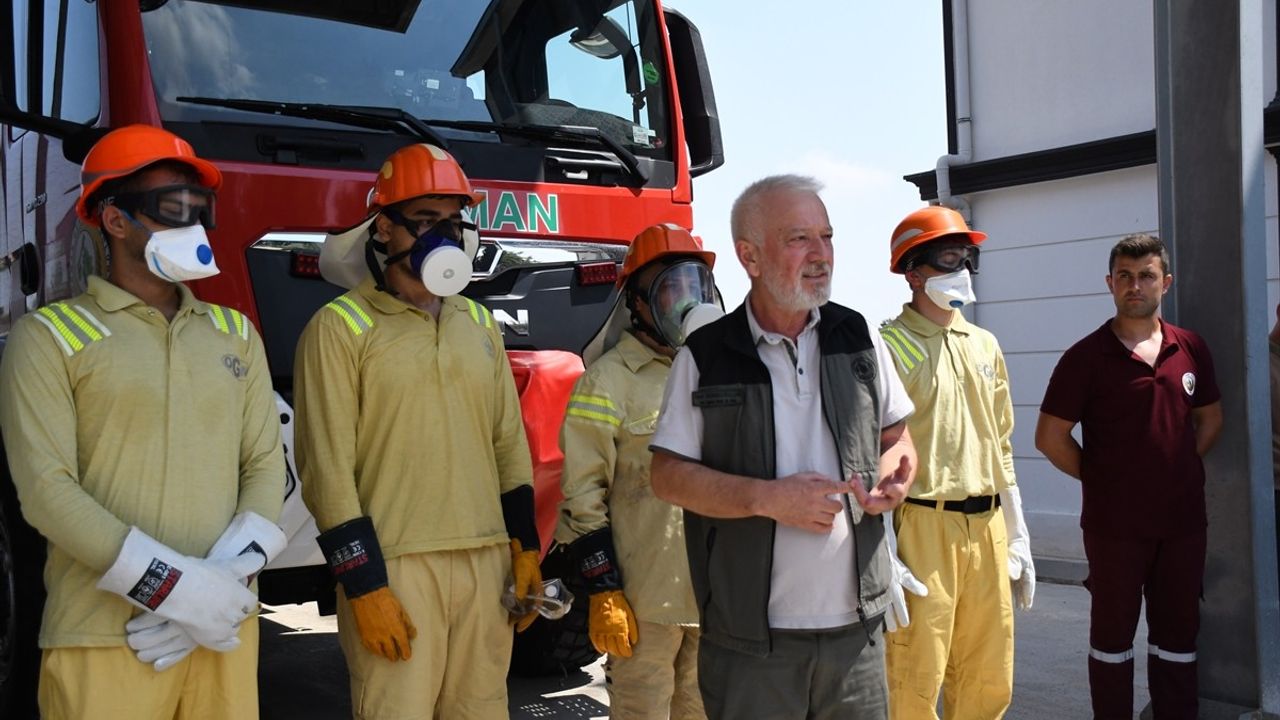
{"x":963,"y":426}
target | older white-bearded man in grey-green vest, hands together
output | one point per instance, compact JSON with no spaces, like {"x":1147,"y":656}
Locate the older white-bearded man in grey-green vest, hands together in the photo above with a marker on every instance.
{"x":774,"y":417}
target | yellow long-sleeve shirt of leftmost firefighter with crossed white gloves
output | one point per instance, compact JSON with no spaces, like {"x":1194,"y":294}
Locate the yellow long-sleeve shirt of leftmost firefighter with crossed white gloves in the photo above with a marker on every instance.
{"x":115,"y":417}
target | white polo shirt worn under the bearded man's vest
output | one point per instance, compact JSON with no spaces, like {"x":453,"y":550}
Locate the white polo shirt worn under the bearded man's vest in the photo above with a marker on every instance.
{"x":813,"y":584}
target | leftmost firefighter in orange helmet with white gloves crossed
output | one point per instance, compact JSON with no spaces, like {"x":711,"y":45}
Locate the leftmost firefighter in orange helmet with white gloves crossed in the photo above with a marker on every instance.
{"x":145,"y":445}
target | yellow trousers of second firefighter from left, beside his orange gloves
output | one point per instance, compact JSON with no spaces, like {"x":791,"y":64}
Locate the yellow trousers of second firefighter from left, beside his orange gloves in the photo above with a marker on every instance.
{"x":459,"y":669}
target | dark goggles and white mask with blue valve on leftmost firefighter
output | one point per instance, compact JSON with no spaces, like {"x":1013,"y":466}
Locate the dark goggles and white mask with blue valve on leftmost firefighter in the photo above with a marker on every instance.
{"x":181,"y":253}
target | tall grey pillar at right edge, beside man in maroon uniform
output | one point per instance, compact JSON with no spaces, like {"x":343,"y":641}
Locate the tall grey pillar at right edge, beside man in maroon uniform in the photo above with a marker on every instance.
{"x":1209,"y":108}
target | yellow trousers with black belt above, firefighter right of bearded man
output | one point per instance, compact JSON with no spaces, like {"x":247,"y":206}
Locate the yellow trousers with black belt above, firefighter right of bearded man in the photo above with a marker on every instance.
{"x":962,"y":635}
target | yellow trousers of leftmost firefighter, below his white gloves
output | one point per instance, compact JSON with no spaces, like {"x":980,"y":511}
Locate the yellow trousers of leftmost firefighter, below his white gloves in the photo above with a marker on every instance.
{"x":111,"y":683}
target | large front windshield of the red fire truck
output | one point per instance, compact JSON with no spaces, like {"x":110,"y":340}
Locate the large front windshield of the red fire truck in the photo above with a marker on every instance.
{"x":586,"y":63}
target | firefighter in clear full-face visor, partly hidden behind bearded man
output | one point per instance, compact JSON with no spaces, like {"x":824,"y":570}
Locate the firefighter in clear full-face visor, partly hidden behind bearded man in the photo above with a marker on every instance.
{"x":629,"y":545}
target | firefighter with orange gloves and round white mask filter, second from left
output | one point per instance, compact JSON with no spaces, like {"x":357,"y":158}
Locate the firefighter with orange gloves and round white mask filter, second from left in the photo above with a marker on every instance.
{"x":413,"y":454}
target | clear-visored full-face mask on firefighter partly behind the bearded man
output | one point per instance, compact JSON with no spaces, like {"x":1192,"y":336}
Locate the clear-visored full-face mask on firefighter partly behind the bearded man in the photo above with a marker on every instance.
{"x":682,"y":299}
